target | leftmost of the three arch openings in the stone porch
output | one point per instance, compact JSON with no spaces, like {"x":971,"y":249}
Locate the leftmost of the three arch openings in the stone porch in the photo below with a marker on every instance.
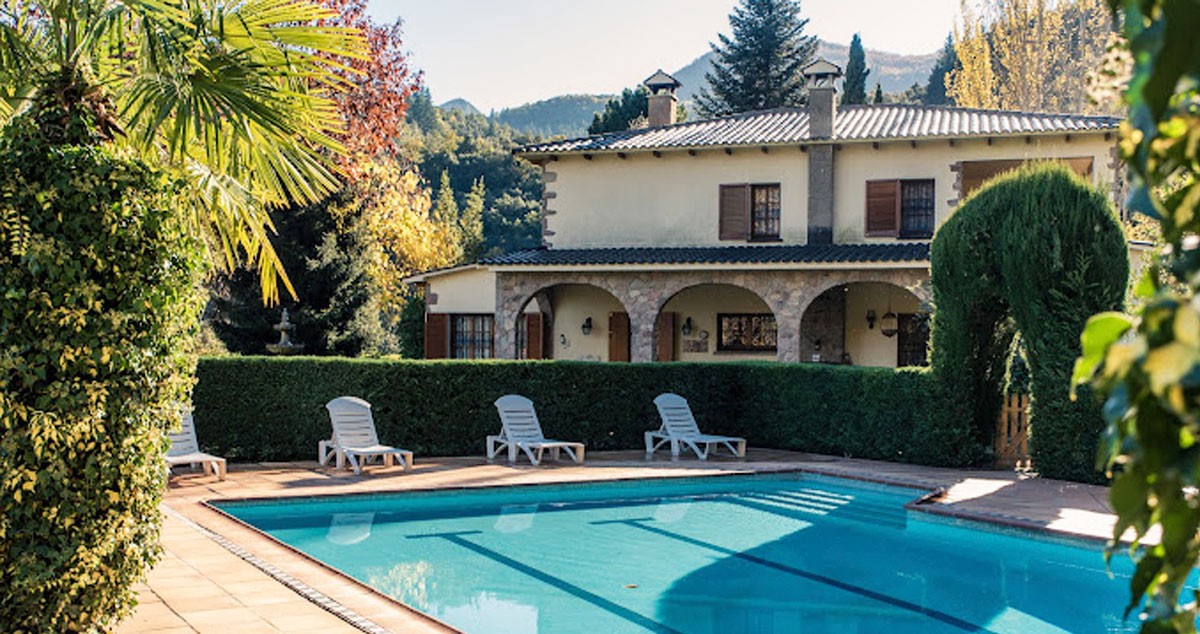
{"x":575,"y":322}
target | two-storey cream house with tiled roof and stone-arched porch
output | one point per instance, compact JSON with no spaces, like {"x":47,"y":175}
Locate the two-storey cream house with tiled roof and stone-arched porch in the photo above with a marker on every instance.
{"x":799,"y":235}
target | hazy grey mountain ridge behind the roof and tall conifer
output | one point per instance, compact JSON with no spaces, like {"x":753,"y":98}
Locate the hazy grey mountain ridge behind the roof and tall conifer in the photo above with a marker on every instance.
{"x":897,"y":73}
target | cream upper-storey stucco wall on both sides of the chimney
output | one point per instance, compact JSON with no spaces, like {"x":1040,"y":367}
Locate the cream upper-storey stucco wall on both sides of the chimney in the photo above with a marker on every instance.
{"x":673,"y":201}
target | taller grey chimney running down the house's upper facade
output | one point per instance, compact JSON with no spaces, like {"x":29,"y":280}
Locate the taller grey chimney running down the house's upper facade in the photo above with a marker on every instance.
{"x":823,"y":79}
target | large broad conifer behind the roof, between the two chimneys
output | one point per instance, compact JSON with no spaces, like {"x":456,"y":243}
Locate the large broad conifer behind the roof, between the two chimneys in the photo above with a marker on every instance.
{"x":761,"y":65}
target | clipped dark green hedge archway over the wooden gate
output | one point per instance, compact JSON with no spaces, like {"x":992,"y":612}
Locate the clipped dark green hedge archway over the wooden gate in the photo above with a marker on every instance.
{"x":1036,"y":253}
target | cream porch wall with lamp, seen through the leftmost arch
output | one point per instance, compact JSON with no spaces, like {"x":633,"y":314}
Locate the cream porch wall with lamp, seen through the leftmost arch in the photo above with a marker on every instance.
{"x":573,"y":304}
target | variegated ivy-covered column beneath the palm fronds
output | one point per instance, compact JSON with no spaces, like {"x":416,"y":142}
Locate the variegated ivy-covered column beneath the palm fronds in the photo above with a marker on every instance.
{"x":97,"y":307}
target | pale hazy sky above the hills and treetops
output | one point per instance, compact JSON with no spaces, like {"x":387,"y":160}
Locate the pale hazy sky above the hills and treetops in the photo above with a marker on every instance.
{"x":502,"y":53}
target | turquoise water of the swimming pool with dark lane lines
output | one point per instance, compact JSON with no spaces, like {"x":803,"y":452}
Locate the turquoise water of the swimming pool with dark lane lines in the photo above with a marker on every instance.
{"x":727,"y":555}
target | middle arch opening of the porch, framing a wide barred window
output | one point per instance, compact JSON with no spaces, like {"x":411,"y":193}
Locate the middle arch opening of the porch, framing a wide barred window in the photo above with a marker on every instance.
{"x":715,"y":322}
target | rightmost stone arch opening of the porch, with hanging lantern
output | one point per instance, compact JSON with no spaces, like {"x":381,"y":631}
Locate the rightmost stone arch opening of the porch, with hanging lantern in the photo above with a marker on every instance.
{"x":866,"y":324}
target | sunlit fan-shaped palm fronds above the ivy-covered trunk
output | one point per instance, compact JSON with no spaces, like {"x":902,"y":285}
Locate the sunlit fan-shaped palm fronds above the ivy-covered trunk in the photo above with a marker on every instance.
{"x":232,"y":95}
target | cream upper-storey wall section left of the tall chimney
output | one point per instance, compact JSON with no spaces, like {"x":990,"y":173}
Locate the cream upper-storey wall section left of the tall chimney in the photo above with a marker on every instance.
{"x":643,"y":201}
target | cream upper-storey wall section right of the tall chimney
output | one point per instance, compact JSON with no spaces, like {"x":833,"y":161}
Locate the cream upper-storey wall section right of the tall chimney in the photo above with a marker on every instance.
{"x":857,"y":164}
